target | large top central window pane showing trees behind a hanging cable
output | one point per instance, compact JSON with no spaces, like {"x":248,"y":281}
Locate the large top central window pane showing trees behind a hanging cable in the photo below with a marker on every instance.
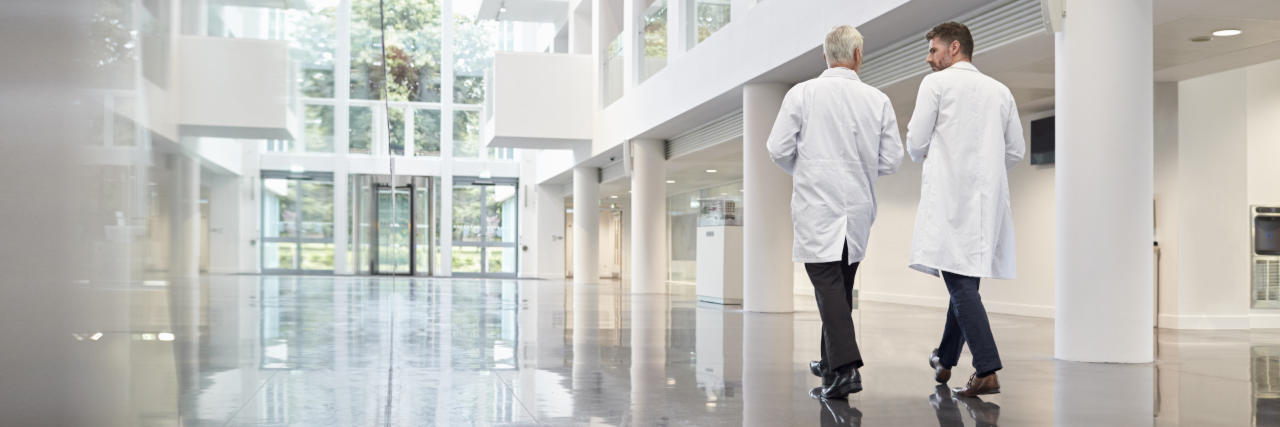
{"x":413,"y":35}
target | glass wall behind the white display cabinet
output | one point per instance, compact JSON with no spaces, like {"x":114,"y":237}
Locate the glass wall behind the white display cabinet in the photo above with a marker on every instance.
{"x":683,"y":213}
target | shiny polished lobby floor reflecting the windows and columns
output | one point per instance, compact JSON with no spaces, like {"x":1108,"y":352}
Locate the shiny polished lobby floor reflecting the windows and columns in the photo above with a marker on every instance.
{"x":282,"y":351}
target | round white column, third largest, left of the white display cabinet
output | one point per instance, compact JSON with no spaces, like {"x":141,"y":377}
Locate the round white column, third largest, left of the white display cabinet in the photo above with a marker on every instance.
{"x":648,"y":218}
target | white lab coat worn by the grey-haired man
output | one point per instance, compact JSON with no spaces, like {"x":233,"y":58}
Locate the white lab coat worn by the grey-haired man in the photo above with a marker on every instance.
{"x":835,"y":136}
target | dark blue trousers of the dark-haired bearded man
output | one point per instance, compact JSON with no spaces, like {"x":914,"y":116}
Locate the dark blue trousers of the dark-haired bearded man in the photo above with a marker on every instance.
{"x":967,"y":323}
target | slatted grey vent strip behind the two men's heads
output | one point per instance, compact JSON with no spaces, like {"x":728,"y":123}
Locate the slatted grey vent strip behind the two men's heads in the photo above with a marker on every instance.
{"x":993,"y":27}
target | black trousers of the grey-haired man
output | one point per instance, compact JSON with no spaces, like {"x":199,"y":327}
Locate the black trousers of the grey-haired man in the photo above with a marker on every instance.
{"x":834,"y":288}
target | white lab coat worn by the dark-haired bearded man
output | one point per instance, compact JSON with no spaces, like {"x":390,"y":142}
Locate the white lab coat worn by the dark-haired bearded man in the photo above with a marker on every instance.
{"x":966,"y":130}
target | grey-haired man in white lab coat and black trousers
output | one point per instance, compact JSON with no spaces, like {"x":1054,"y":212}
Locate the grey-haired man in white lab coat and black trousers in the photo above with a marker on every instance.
{"x":835,"y":136}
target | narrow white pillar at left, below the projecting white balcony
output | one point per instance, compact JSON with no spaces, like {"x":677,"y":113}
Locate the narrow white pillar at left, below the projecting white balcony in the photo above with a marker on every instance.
{"x":185,"y":217}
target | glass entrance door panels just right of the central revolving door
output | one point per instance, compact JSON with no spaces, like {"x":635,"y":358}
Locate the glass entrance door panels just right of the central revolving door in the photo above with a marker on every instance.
{"x":484,"y":228}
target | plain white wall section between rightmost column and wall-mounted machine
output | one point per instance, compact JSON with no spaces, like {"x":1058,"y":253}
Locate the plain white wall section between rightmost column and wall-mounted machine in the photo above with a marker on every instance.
{"x":1213,"y":272}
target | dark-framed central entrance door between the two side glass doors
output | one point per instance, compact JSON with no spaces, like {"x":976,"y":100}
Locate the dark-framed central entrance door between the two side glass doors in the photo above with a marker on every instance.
{"x":394,"y":238}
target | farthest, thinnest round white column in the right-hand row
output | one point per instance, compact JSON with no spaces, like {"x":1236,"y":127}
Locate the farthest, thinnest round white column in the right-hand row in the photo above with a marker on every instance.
{"x":587,"y":224}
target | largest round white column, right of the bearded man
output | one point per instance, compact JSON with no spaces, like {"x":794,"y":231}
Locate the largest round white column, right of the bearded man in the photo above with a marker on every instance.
{"x":1105,"y":175}
